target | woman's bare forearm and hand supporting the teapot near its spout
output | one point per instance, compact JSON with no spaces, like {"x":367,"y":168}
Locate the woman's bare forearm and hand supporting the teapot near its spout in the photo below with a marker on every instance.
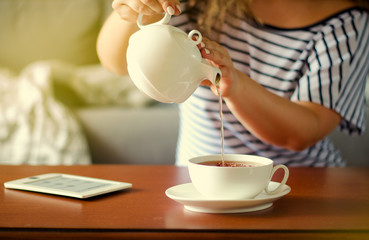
{"x":271,"y":118}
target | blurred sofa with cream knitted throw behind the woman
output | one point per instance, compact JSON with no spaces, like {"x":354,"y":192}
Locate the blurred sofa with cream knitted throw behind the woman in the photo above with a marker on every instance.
{"x":60,"y":106}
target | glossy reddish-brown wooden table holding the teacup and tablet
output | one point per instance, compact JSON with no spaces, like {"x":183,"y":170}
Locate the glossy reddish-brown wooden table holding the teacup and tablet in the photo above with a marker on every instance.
{"x":324,"y":203}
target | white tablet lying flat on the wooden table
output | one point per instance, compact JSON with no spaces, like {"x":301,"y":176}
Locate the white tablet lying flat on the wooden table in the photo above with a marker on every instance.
{"x":67,"y":185}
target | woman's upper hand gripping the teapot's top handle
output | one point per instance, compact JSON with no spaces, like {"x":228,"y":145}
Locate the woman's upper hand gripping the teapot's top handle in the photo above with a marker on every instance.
{"x":128,"y":10}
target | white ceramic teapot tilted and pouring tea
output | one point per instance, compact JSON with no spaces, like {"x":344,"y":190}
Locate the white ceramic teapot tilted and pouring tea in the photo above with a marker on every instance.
{"x":165,"y":63}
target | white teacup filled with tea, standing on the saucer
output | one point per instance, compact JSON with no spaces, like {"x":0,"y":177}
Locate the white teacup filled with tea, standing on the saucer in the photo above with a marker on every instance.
{"x":228,"y":183}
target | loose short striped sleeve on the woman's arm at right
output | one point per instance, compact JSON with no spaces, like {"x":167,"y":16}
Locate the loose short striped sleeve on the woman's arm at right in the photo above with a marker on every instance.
{"x":336,"y":70}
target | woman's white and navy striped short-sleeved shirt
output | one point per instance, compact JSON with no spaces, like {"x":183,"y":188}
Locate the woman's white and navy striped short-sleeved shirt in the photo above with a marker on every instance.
{"x":325,"y":63}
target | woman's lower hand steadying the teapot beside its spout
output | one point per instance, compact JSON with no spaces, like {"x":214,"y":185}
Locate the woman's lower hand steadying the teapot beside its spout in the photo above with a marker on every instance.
{"x":219,"y":57}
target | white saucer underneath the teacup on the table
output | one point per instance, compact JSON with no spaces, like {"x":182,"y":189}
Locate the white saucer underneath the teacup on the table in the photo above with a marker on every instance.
{"x":192,"y":200}
